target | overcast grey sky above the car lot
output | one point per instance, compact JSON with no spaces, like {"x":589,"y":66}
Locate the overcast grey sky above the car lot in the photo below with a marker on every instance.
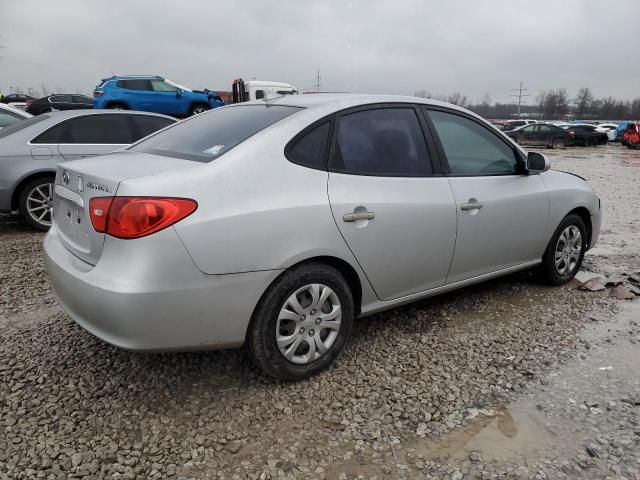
{"x":376,"y":46}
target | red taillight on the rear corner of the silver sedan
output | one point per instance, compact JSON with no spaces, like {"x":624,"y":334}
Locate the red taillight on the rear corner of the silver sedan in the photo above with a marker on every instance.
{"x":135,"y":217}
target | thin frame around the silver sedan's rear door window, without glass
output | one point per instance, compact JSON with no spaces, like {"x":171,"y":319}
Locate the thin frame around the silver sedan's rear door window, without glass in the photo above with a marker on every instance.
{"x":377,"y":106}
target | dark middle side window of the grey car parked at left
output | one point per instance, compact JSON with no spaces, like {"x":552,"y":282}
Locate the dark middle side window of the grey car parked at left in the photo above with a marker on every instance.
{"x":98,"y":129}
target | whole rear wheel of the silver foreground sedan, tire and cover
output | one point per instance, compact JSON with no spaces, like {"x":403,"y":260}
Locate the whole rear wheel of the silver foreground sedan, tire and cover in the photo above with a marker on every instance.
{"x":302,"y":322}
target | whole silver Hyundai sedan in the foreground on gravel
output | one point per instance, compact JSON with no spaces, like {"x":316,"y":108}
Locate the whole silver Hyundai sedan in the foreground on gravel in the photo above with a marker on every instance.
{"x":275,"y":223}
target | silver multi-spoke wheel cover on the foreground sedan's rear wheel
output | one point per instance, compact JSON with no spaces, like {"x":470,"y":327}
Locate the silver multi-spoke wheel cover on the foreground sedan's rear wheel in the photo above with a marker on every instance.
{"x":308,"y":323}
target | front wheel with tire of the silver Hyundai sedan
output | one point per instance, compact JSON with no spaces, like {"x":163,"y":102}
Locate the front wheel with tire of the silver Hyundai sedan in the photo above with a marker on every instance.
{"x":563,"y":257}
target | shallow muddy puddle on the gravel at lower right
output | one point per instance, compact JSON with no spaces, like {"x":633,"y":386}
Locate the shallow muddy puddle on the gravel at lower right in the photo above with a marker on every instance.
{"x":556,"y":418}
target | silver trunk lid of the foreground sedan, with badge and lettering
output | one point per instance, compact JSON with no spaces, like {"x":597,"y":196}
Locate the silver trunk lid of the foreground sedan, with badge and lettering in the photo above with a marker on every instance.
{"x":78,"y":181}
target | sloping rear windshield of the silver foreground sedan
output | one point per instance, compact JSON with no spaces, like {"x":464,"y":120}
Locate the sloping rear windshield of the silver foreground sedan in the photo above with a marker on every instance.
{"x":208,"y":136}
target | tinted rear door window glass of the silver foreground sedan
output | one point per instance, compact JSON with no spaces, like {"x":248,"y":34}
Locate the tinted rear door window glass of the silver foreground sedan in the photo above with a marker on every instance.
{"x":381,"y":142}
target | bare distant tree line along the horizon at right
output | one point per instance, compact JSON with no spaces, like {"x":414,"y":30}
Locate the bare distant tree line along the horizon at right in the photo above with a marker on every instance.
{"x":550,"y":105}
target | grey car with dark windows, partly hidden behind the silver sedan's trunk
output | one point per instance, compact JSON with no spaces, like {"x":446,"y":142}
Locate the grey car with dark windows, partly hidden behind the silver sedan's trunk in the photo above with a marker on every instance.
{"x":30,"y":151}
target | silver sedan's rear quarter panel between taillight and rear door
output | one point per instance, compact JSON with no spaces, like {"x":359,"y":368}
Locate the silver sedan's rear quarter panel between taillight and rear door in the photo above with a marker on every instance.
{"x":256,"y":210}
